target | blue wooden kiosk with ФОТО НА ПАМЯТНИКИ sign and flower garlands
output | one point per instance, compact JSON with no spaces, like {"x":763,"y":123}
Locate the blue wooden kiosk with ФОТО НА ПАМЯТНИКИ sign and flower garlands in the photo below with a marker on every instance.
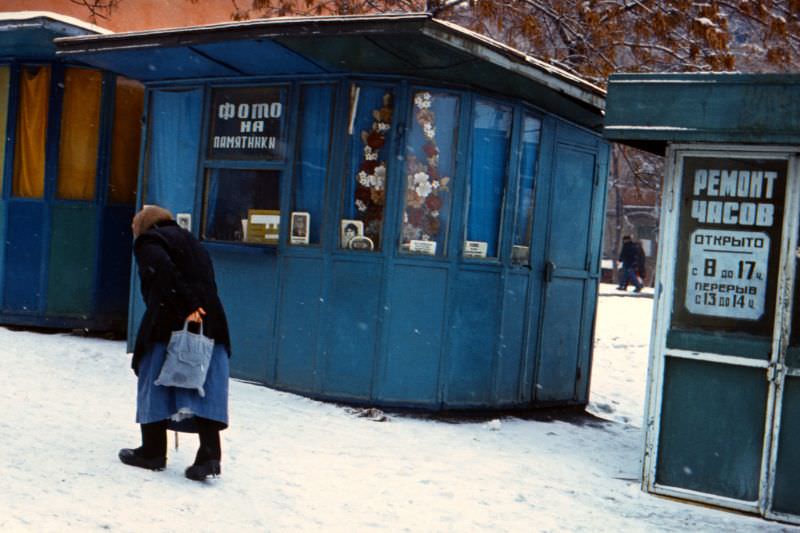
{"x":401,"y":212}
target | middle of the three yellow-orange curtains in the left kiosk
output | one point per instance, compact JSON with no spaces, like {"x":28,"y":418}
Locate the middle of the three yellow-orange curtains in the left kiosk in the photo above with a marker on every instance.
{"x":80,"y":134}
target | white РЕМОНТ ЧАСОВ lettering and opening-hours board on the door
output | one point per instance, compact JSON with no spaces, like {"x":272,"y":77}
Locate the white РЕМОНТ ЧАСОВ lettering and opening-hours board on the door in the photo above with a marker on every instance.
{"x":729,"y":231}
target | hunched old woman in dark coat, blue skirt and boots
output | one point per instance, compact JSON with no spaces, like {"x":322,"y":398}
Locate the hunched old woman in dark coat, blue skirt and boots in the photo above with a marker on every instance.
{"x":177,"y":282}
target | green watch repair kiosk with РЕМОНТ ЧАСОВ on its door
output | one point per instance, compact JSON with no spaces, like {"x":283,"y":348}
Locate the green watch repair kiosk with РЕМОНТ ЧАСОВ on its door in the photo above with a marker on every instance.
{"x":723,"y":410}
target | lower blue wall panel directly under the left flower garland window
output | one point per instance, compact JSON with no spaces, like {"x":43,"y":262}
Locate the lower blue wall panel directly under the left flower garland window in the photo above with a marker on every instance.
{"x":350,"y":328}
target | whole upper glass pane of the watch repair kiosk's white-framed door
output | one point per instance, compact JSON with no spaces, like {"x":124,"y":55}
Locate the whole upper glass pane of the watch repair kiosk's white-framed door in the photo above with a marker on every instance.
{"x":728,"y":251}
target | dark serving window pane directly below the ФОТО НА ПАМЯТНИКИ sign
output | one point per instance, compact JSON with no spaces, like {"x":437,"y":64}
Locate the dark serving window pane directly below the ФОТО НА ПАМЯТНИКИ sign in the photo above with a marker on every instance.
{"x":242,"y":205}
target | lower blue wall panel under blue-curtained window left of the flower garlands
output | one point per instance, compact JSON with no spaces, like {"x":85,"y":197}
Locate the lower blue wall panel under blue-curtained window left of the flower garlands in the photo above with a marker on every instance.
{"x":299,"y":323}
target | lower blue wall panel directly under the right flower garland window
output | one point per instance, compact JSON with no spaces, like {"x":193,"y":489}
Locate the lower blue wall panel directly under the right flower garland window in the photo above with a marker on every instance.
{"x":415,"y":315}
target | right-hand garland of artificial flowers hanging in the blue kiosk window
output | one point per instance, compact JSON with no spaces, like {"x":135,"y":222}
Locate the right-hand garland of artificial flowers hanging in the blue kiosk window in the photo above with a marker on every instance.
{"x":426,"y":190}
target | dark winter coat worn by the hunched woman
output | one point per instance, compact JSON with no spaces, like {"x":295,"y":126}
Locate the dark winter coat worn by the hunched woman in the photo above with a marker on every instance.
{"x":177,"y":277}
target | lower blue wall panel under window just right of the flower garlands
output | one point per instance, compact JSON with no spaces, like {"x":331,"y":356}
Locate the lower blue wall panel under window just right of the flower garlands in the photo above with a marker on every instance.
{"x":473,"y":337}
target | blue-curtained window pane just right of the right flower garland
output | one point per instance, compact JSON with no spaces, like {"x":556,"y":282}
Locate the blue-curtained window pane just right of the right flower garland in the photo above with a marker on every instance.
{"x":491,"y":133}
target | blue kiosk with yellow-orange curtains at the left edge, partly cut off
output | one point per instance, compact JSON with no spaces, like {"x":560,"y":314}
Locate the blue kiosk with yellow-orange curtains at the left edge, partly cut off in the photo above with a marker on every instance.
{"x":69,"y":139}
